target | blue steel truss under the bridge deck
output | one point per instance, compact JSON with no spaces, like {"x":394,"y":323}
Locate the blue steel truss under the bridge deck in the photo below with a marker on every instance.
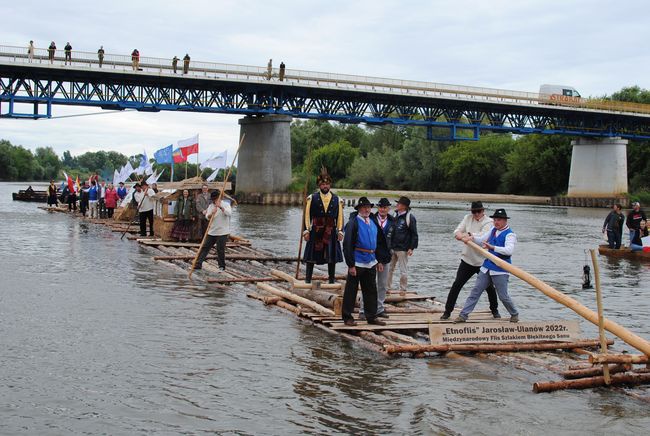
{"x":31,"y":91}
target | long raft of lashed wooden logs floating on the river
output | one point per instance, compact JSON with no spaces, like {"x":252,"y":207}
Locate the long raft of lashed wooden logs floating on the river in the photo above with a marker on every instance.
{"x":410,"y":314}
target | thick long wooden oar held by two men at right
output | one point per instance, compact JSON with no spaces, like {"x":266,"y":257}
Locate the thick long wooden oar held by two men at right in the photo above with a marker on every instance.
{"x":621,"y":332}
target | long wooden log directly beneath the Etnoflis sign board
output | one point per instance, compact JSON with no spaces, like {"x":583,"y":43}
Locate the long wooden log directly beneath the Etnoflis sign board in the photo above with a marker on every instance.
{"x":492,"y":348}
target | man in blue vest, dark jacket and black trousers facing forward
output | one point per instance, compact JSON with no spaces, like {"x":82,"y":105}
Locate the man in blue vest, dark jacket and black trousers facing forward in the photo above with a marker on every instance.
{"x":364,"y":249}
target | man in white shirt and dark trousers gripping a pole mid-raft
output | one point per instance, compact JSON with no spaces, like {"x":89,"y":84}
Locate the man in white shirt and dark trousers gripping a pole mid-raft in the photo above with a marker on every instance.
{"x":218,"y":230}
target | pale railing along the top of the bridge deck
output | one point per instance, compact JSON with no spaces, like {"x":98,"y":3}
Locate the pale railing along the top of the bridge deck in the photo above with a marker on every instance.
{"x":213,"y":70}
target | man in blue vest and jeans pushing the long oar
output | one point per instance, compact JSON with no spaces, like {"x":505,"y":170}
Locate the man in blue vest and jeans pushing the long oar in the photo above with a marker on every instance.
{"x":500,"y":241}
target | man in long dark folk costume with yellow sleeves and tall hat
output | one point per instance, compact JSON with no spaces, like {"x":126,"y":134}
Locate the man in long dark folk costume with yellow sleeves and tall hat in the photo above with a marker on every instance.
{"x":323,"y":228}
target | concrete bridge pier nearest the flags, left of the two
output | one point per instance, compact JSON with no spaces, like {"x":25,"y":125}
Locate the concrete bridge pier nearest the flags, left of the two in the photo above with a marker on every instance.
{"x":264,"y":163}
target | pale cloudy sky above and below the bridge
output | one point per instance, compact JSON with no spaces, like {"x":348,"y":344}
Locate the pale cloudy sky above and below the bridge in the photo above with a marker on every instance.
{"x":596,"y":46}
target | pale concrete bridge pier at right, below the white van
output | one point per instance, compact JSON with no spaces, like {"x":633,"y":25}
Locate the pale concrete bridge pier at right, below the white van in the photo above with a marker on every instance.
{"x":598,"y":167}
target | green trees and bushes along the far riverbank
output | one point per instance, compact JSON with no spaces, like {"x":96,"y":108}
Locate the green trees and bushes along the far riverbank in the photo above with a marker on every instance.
{"x":382,"y":159}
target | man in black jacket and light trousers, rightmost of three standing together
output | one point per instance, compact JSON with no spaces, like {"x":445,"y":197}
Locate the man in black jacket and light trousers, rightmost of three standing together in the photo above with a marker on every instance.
{"x":404,"y":241}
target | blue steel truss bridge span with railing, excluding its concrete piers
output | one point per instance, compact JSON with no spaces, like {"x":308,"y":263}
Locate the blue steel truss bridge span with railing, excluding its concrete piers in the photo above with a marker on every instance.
{"x":29,"y":88}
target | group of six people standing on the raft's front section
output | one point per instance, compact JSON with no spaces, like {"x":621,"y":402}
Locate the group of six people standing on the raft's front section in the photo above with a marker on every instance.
{"x":374,"y":245}
